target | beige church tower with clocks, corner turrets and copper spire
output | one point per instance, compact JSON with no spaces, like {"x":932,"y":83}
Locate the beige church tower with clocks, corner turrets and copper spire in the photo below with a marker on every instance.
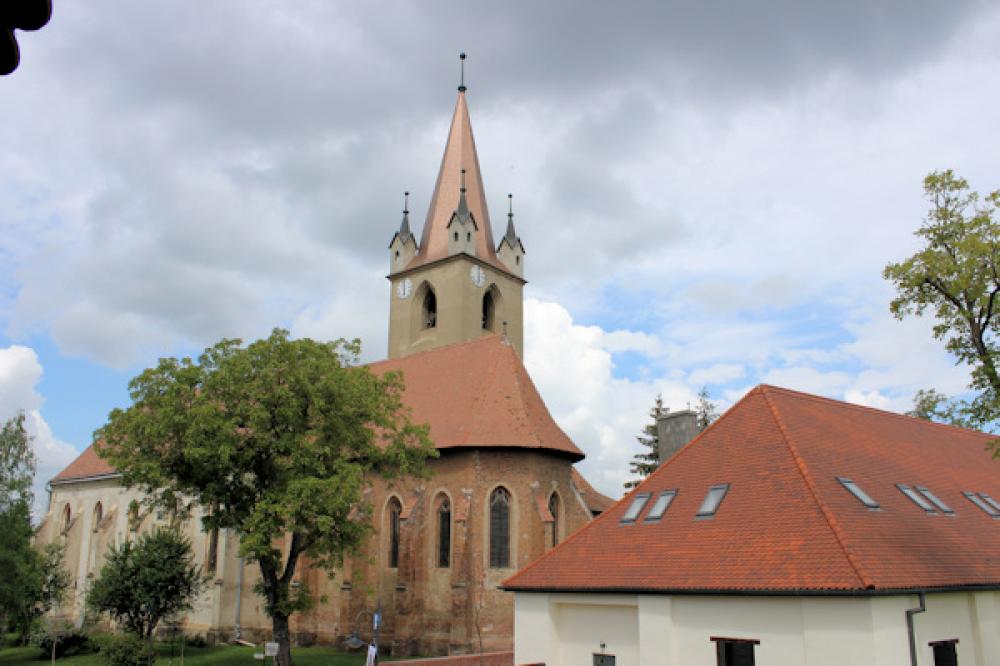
{"x":455,"y":285}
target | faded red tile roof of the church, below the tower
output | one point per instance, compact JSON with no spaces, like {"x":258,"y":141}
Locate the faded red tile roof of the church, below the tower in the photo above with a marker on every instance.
{"x":473,"y":394}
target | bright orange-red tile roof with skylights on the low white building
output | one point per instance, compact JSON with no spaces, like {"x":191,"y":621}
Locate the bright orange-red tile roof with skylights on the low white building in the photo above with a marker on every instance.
{"x":787,"y":524}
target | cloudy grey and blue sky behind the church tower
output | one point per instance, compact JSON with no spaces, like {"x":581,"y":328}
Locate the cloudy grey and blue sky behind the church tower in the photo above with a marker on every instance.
{"x":707,"y":192}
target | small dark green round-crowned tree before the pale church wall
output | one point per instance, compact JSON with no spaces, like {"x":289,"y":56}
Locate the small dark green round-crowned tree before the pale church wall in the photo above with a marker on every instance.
{"x":146,"y":580}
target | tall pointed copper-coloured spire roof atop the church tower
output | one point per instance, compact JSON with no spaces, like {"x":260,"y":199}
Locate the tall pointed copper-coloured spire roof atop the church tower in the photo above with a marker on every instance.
{"x":459,"y":154}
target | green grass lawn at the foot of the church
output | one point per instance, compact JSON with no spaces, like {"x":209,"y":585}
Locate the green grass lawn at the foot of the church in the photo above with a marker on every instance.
{"x":222,"y":655}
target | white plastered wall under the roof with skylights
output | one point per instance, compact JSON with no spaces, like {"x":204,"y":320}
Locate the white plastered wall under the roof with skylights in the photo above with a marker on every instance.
{"x":666,"y":630}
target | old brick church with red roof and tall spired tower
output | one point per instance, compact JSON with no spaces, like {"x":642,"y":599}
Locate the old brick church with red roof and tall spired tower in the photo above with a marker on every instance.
{"x":503,"y":491}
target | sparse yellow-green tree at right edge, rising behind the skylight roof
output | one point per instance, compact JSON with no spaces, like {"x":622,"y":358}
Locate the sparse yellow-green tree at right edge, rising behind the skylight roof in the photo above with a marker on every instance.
{"x":956,"y":277}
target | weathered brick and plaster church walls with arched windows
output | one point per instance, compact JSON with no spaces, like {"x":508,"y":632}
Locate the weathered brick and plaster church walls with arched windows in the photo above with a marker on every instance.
{"x":427,"y":609}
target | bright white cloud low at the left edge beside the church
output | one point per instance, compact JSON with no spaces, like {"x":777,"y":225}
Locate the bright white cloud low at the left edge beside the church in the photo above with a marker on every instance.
{"x":20,"y":373}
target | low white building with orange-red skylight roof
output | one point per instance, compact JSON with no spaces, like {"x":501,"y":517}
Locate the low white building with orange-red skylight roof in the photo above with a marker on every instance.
{"x":795,"y":530}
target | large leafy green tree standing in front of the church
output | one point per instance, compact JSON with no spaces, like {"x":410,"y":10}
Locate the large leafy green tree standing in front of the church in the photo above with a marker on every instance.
{"x":281,"y":436}
